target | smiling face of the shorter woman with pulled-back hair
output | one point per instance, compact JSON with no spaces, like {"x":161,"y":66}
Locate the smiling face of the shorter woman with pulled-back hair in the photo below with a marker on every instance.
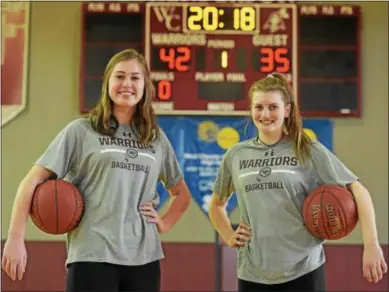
{"x":268,"y":112}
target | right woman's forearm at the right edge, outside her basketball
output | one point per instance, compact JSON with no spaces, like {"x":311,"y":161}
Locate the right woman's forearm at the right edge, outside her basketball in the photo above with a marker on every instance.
{"x":366,"y":213}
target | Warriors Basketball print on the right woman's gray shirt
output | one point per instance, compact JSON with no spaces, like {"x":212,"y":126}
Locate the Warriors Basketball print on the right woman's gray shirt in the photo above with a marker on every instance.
{"x":260,"y":174}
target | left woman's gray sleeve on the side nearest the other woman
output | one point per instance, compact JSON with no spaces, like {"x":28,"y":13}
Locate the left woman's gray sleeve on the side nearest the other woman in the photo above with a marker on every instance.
{"x":170,"y":173}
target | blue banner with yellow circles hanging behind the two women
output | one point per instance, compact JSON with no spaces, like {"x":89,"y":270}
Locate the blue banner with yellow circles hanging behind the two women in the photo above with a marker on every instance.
{"x":201,"y":142}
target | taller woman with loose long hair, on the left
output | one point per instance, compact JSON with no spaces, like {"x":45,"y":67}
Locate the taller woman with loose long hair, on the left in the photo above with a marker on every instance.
{"x":115,"y":158}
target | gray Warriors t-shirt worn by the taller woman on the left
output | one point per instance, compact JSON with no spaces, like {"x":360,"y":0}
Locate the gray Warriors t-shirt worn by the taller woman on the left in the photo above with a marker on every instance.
{"x":114,"y":175}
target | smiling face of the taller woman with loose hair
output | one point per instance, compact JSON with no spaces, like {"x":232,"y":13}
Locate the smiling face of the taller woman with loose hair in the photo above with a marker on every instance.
{"x":126,"y":84}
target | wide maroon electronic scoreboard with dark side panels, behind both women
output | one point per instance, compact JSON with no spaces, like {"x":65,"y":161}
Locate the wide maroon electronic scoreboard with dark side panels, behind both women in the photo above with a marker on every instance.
{"x":203,"y":57}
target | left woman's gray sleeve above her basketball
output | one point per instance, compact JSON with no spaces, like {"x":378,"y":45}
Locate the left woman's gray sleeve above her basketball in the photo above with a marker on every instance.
{"x":61,"y":155}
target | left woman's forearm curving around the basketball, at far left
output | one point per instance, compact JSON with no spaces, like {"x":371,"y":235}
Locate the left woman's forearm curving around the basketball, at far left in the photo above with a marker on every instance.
{"x":22,"y":202}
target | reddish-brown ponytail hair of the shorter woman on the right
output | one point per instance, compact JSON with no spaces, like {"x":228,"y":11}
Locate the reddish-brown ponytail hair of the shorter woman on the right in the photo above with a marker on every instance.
{"x":293,"y":125}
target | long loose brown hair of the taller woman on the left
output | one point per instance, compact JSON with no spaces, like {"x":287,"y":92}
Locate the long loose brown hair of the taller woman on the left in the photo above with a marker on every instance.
{"x":144,"y":118}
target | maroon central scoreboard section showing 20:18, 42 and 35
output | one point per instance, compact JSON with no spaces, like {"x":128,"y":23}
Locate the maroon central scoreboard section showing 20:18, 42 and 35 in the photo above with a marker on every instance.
{"x":203,"y":58}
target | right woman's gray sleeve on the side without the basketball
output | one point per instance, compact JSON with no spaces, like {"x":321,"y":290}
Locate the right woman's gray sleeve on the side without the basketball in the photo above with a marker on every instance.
{"x":224,"y":186}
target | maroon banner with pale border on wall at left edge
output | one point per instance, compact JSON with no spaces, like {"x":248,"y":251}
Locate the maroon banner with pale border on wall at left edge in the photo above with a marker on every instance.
{"x":14,"y":62}
